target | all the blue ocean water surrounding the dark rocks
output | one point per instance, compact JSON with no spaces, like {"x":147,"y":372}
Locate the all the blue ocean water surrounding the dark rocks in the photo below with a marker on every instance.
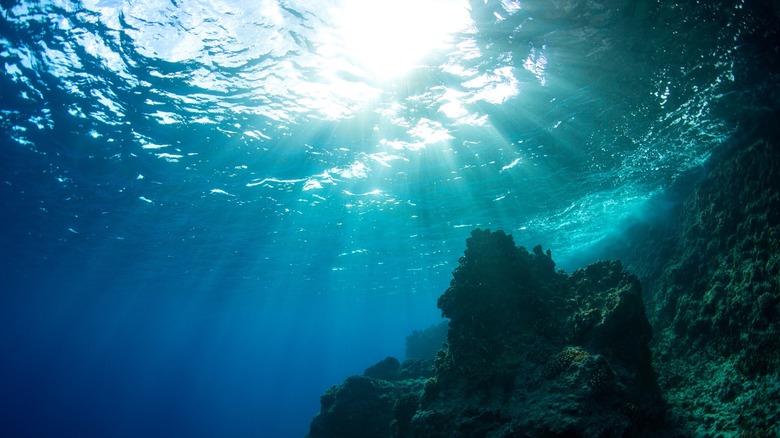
{"x":213,"y":210}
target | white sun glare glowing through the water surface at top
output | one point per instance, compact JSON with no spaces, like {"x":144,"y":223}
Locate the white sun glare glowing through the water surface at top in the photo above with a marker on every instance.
{"x":390,"y":38}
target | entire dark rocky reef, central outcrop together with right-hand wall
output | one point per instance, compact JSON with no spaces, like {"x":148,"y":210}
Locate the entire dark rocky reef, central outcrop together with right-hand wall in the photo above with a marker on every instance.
{"x":689,"y":347}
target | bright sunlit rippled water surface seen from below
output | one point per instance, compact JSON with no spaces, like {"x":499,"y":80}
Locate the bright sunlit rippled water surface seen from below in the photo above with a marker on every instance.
{"x":439,"y":104}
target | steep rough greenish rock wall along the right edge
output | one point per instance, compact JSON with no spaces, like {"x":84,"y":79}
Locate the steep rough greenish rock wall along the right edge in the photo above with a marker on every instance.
{"x":716,"y":305}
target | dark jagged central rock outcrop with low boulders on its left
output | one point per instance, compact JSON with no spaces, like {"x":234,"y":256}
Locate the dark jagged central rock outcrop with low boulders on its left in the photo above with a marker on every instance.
{"x":530,"y":352}
